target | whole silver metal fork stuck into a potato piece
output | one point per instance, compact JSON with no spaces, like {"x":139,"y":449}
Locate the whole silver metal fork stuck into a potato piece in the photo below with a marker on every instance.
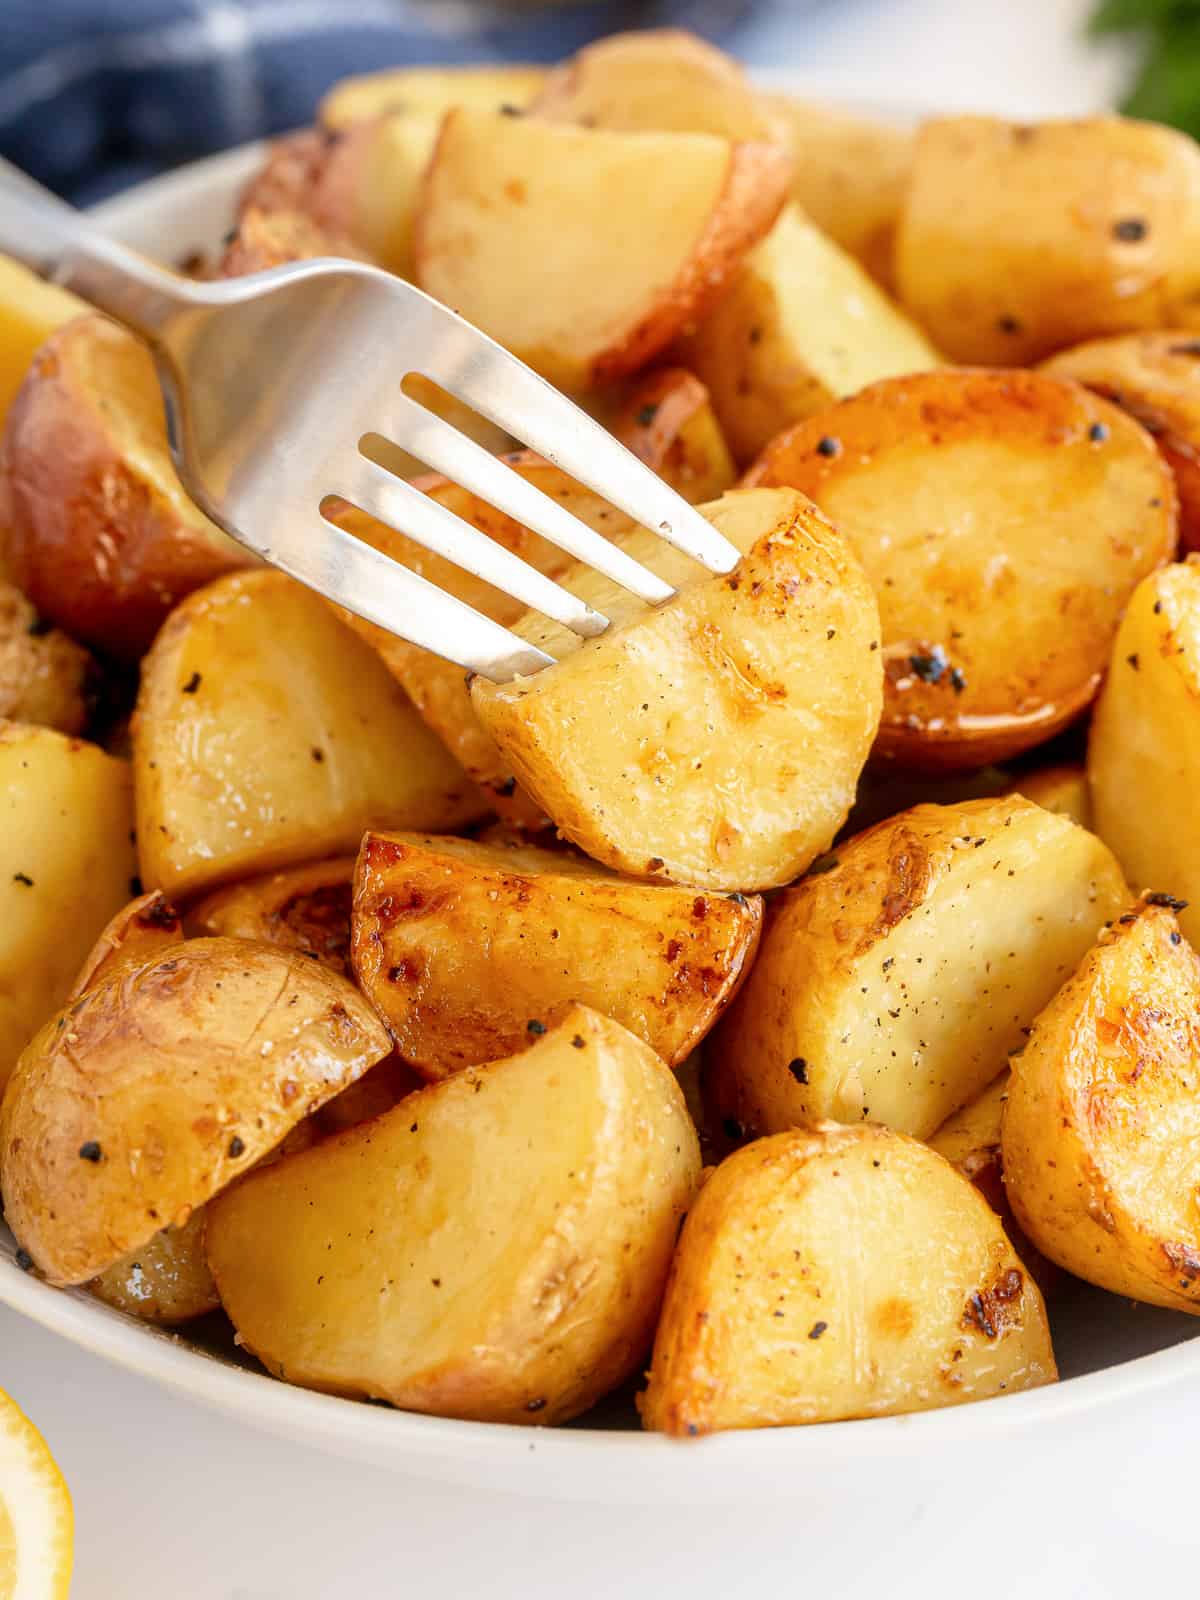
{"x":274,"y":382}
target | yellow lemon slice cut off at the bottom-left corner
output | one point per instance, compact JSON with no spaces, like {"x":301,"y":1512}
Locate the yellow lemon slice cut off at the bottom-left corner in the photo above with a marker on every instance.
{"x":38,"y":1526}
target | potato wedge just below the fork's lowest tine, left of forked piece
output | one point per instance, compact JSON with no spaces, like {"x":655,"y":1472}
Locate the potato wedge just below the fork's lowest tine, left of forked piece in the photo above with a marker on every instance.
{"x":268,"y":735}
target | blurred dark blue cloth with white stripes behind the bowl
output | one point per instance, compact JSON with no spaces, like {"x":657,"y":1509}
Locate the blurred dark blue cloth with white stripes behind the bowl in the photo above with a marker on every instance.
{"x":102,"y":94}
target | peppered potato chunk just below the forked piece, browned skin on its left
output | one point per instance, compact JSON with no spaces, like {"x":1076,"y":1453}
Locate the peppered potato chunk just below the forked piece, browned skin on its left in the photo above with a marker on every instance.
{"x":894,"y":985}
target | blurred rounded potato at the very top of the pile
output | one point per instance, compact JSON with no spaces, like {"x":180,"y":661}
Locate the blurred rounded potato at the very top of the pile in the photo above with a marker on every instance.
{"x":658,"y":81}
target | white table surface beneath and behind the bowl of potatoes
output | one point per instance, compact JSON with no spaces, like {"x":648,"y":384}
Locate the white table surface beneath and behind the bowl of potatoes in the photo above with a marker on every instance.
{"x":174,"y":1502}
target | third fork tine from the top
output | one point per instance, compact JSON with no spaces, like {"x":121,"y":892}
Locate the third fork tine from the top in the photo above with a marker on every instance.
{"x":420,"y":518}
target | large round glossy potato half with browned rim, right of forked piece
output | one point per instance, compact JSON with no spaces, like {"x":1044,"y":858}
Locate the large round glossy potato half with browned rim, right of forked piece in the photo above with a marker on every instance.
{"x":1004,"y":519}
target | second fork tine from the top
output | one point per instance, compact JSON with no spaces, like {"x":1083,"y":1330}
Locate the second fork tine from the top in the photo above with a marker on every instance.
{"x":444,"y":449}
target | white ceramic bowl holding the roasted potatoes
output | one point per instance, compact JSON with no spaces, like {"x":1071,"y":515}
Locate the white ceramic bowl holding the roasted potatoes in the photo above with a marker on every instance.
{"x":1113,"y":1354}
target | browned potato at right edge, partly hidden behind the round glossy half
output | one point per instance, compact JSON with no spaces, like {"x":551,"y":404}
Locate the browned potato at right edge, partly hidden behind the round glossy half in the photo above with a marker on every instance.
{"x":1154,"y":377}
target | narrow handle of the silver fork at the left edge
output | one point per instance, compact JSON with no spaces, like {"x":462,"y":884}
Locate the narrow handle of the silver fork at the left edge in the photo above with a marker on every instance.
{"x":60,"y":244}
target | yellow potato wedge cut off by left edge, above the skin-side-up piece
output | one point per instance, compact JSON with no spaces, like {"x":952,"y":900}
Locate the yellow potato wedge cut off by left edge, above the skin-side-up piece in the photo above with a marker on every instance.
{"x":68,"y":863}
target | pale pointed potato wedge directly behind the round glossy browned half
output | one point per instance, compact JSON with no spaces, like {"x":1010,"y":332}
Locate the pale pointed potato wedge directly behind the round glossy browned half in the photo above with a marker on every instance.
{"x":801,"y":327}
